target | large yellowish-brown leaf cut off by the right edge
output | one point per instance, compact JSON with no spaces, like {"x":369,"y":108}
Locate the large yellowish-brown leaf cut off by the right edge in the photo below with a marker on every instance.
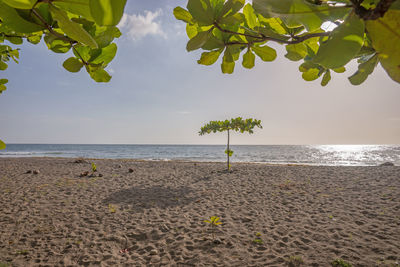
{"x":385,"y":37}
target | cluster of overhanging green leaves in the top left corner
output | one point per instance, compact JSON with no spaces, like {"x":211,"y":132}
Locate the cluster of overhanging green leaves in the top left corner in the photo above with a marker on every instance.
{"x":87,"y":27}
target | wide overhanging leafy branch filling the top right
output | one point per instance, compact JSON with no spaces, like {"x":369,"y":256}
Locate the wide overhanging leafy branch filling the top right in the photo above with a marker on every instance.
{"x":365,"y":30}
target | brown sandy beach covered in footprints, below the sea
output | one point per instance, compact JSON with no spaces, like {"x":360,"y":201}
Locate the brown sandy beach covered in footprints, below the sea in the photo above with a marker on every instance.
{"x":154,"y":214}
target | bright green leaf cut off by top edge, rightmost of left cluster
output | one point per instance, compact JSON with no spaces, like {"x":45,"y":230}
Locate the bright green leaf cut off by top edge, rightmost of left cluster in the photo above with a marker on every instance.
{"x":107,"y":12}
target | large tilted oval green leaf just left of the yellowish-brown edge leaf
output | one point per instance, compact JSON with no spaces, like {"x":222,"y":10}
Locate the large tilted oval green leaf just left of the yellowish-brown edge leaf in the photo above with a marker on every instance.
{"x":343,"y":44}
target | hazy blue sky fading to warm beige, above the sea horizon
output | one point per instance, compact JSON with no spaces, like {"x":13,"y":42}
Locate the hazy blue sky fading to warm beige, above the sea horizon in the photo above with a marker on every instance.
{"x":160,"y":95}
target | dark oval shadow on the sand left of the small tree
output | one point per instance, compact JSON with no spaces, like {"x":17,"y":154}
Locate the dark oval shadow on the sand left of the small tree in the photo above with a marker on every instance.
{"x":152,"y":197}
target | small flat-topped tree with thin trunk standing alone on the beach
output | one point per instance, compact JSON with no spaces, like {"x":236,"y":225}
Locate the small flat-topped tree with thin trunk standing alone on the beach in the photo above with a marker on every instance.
{"x":238,"y":125}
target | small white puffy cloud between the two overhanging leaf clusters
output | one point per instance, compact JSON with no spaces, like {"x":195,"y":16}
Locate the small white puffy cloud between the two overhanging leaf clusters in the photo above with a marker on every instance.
{"x":139,"y":26}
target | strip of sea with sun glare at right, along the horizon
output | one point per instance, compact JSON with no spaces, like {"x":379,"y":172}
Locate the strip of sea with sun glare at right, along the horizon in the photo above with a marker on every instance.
{"x":329,"y":155}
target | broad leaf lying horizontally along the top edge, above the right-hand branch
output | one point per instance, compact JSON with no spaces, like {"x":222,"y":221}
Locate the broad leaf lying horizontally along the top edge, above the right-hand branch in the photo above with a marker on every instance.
{"x":300,"y":12}
